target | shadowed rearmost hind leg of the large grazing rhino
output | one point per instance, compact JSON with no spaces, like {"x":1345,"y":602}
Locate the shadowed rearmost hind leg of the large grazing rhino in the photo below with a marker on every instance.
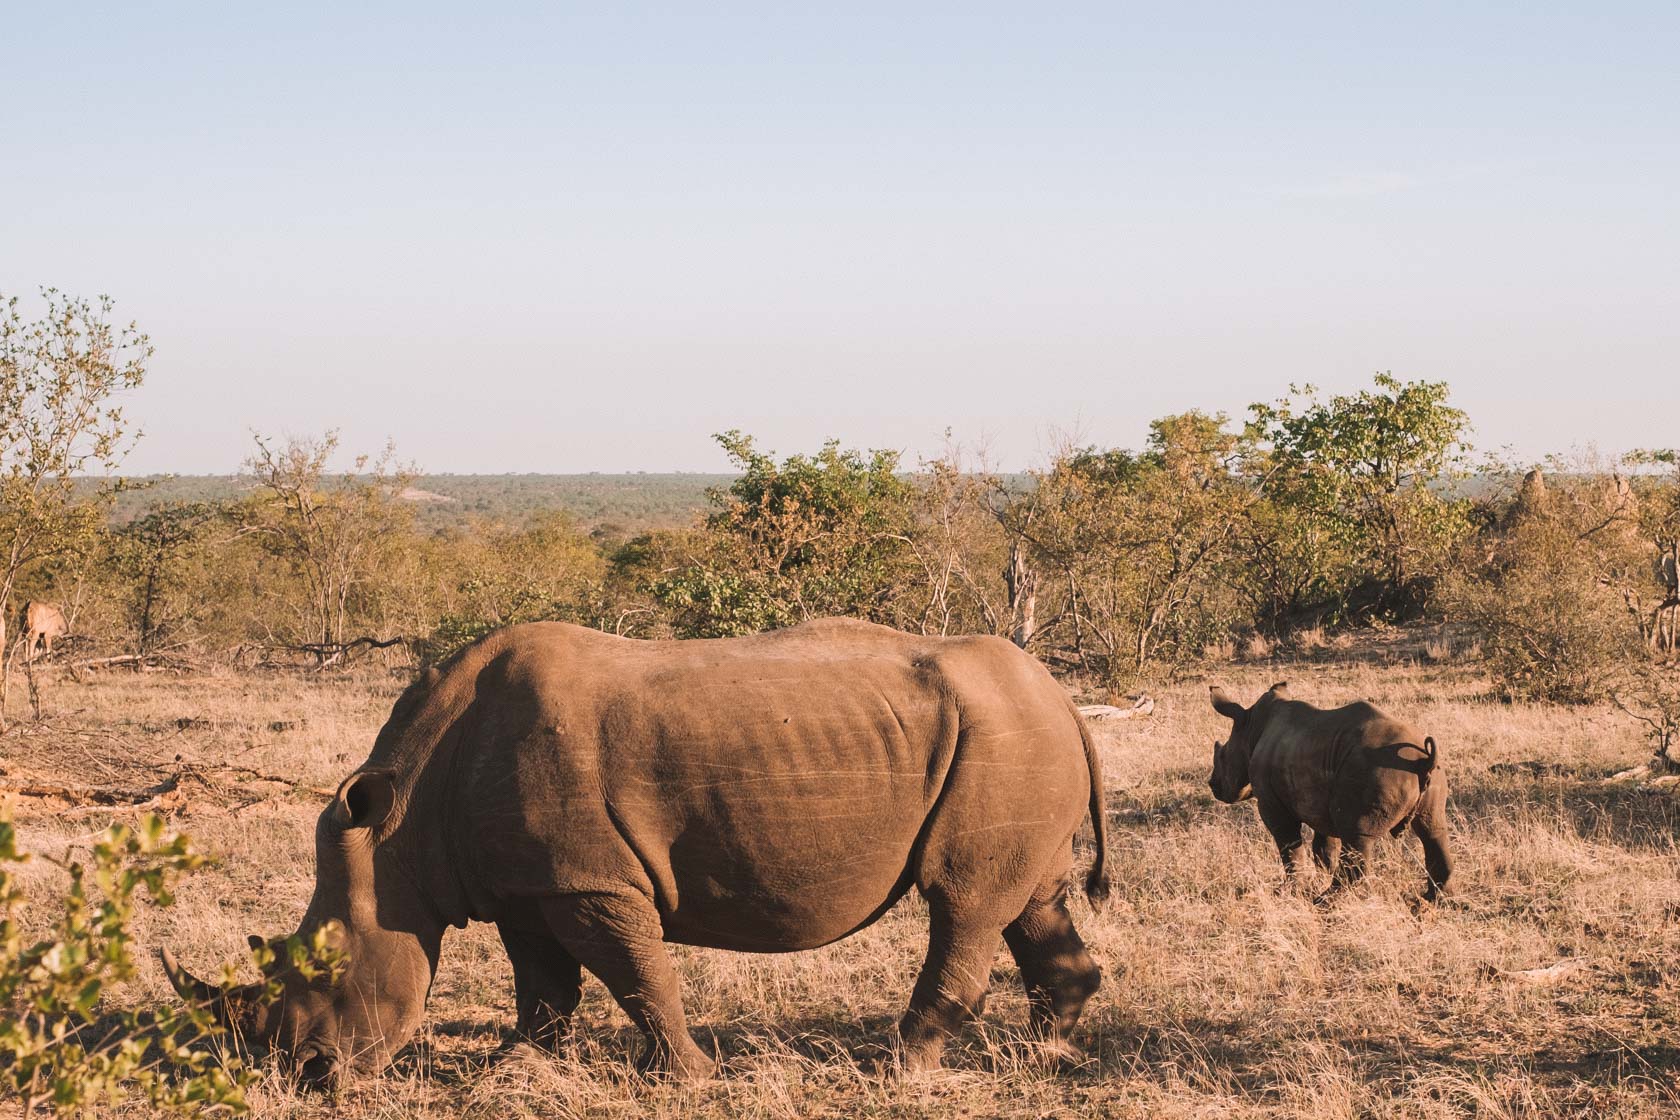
{"x":1056,"y":968}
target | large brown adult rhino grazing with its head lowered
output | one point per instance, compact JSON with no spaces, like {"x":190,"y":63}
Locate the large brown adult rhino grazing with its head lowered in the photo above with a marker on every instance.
{"x":597,"y":797}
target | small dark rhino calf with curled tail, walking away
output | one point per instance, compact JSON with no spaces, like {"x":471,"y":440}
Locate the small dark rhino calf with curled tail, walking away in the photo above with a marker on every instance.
{"x":1352,"y":773}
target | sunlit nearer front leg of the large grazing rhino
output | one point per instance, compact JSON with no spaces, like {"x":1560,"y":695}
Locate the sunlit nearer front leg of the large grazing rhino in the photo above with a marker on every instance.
{"x":621,"y":941}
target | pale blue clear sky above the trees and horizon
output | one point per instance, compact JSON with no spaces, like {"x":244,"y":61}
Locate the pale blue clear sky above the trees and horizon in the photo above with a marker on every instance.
{"x":585,"y":238}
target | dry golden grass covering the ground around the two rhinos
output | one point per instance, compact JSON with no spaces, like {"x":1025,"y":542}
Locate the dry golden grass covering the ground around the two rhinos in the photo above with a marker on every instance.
{"x":1224,"y":997}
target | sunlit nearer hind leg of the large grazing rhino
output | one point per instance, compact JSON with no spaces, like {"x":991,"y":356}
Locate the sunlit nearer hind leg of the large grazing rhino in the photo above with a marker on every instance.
{"x":952,"y":987}
